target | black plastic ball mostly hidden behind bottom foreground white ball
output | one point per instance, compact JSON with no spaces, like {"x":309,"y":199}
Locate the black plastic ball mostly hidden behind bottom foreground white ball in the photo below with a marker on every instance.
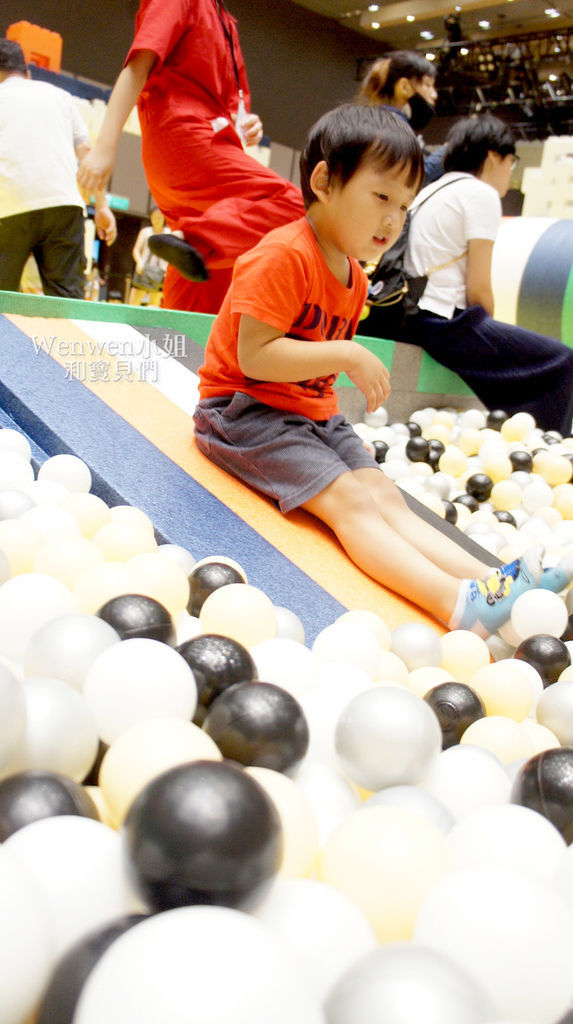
{"x":71,"y":973}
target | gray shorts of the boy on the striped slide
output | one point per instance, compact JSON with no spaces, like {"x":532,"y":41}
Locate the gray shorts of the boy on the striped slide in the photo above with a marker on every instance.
{"x":284,"y":455}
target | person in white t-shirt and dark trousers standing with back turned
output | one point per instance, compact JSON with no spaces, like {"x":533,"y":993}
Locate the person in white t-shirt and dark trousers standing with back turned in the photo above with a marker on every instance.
{"x":42,"y":212}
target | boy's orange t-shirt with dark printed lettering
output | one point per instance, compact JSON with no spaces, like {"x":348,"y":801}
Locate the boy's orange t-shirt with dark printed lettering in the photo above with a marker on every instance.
{"x":284,"y":282}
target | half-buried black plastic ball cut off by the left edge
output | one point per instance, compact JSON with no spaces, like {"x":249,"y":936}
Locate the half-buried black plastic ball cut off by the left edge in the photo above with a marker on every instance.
{"x":30,"y":796}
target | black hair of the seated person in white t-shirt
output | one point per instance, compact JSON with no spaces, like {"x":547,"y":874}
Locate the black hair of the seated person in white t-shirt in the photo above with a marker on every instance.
{"x":470,"y":141}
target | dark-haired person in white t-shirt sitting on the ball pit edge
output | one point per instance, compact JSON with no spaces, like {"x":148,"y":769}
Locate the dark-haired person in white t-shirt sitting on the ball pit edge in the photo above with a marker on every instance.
{"x":452,"y":240}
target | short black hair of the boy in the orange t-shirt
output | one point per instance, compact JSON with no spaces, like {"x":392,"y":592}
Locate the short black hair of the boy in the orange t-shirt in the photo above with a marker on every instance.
{"x":348,"y":136}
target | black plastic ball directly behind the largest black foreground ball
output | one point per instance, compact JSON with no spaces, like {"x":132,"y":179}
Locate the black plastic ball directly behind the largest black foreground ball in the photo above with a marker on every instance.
{"x":259,"y":724}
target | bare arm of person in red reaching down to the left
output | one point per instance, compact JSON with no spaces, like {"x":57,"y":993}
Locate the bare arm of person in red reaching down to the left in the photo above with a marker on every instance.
{"x":97,"y":166}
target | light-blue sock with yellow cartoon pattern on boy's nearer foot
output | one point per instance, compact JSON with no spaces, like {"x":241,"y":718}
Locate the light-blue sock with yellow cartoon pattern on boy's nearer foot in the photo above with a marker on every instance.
{"x":483,"y":606}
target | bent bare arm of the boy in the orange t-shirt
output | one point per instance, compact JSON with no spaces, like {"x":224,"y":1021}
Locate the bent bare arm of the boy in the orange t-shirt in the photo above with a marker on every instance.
{"x":265,"y":354}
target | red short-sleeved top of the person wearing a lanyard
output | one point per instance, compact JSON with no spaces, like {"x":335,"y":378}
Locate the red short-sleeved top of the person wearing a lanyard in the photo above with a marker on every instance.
{"x":195,"y":44}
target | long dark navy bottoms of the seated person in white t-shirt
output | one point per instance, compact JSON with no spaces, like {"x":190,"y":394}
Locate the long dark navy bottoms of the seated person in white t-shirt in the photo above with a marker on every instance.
{"x":506,"y":366}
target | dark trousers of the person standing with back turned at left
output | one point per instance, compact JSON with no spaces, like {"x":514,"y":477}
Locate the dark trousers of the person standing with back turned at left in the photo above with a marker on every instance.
{"x":56,"y":238}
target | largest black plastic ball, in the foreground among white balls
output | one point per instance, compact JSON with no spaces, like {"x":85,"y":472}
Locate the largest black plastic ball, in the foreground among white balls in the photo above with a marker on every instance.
{"x":203,"y":833}
